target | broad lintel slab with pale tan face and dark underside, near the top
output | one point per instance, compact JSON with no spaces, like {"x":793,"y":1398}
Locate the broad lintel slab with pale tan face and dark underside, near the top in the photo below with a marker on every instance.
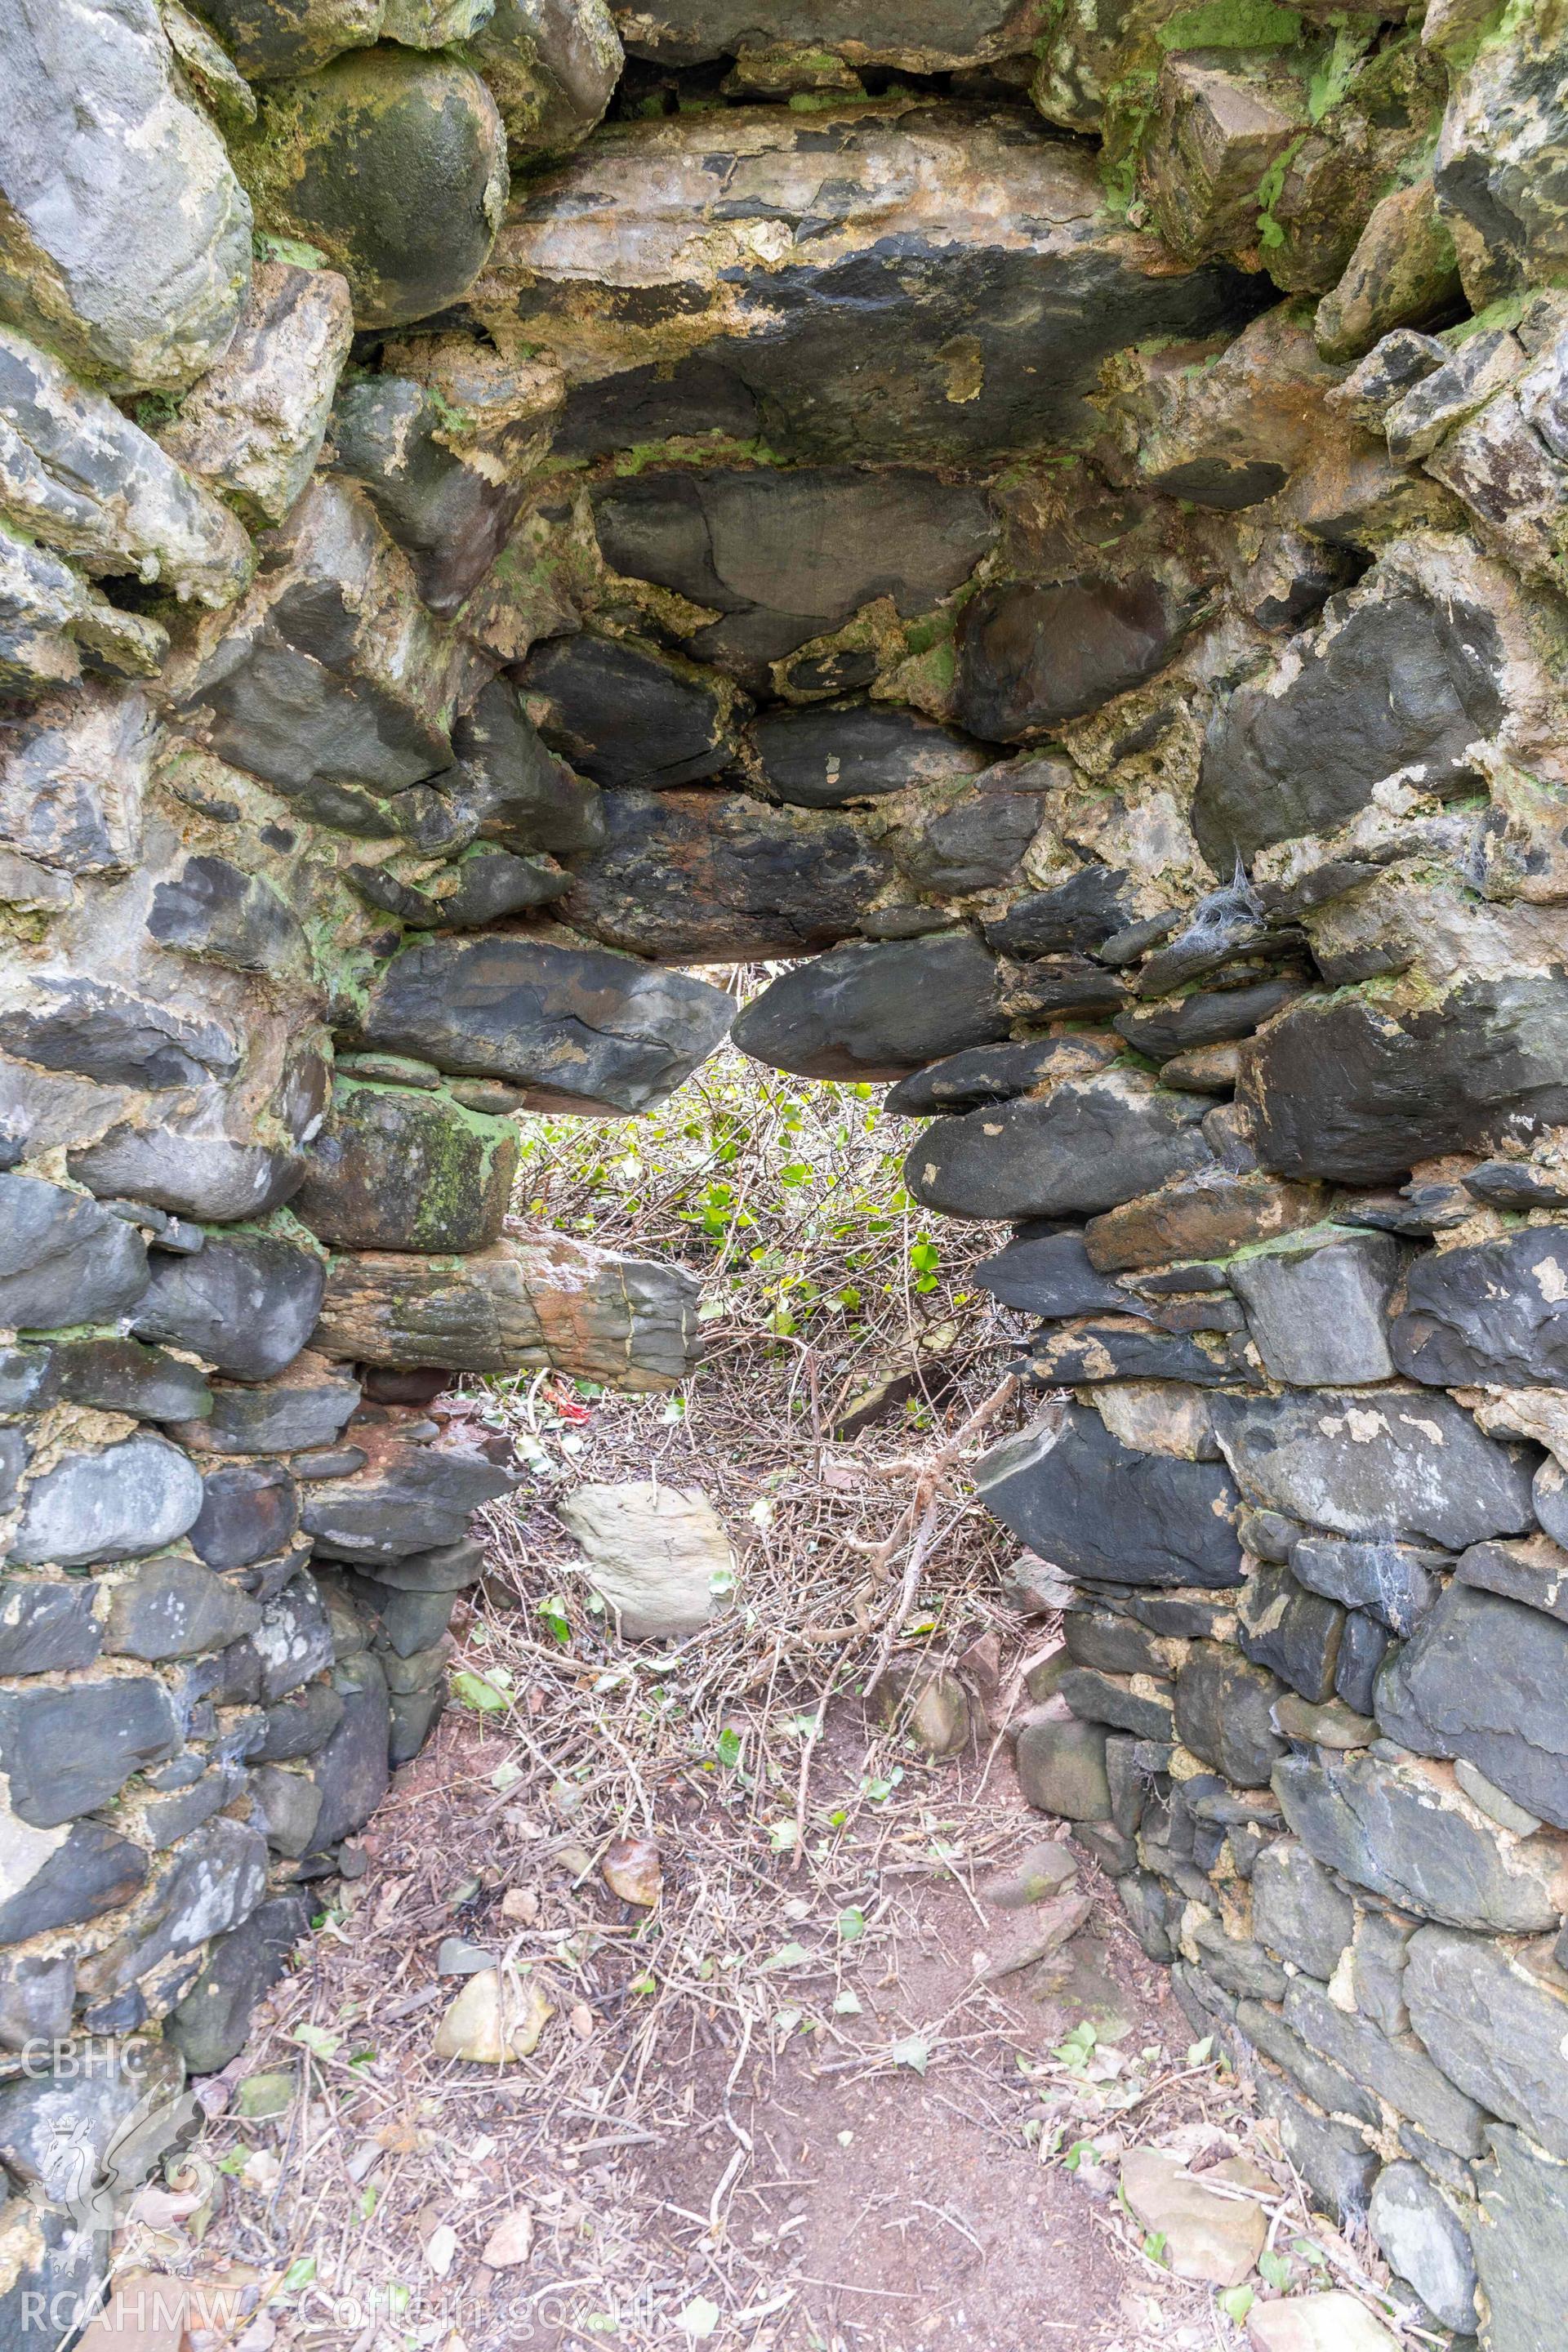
{"x":972,"y":229}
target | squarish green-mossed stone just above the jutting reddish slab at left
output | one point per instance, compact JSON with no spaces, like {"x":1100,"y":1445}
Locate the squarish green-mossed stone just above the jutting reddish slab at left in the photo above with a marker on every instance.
{"x":403,"y":1170}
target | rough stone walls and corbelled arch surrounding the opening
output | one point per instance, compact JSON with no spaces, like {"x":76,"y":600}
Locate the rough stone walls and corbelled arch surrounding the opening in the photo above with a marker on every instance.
{"x":1050,"y":519}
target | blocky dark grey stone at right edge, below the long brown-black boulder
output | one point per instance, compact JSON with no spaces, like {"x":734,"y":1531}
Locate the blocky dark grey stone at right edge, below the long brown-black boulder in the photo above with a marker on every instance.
{"x":1494,"y":1314}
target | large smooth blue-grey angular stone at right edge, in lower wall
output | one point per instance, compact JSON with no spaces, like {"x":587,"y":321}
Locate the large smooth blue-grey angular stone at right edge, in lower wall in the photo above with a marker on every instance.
{"x":1487,"y":1681}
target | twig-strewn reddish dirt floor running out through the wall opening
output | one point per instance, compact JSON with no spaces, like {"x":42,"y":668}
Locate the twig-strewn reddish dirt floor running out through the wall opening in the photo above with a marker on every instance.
{"x":812,"y":2092}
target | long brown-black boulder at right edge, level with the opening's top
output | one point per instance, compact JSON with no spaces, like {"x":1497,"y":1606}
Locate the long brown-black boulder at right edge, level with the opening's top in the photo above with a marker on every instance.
{"x":1355,"y":1090}
